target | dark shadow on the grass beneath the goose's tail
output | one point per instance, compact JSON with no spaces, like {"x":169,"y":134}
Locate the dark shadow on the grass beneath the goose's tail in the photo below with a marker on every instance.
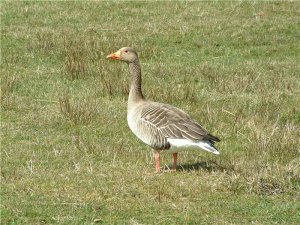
{"x":209,"y":166}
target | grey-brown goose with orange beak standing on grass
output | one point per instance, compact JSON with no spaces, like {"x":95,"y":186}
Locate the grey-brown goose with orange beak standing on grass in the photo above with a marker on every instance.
{"x":161,"y":126}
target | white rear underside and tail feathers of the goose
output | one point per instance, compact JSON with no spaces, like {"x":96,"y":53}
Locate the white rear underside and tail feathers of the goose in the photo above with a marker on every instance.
{"x":182,"y":144}
